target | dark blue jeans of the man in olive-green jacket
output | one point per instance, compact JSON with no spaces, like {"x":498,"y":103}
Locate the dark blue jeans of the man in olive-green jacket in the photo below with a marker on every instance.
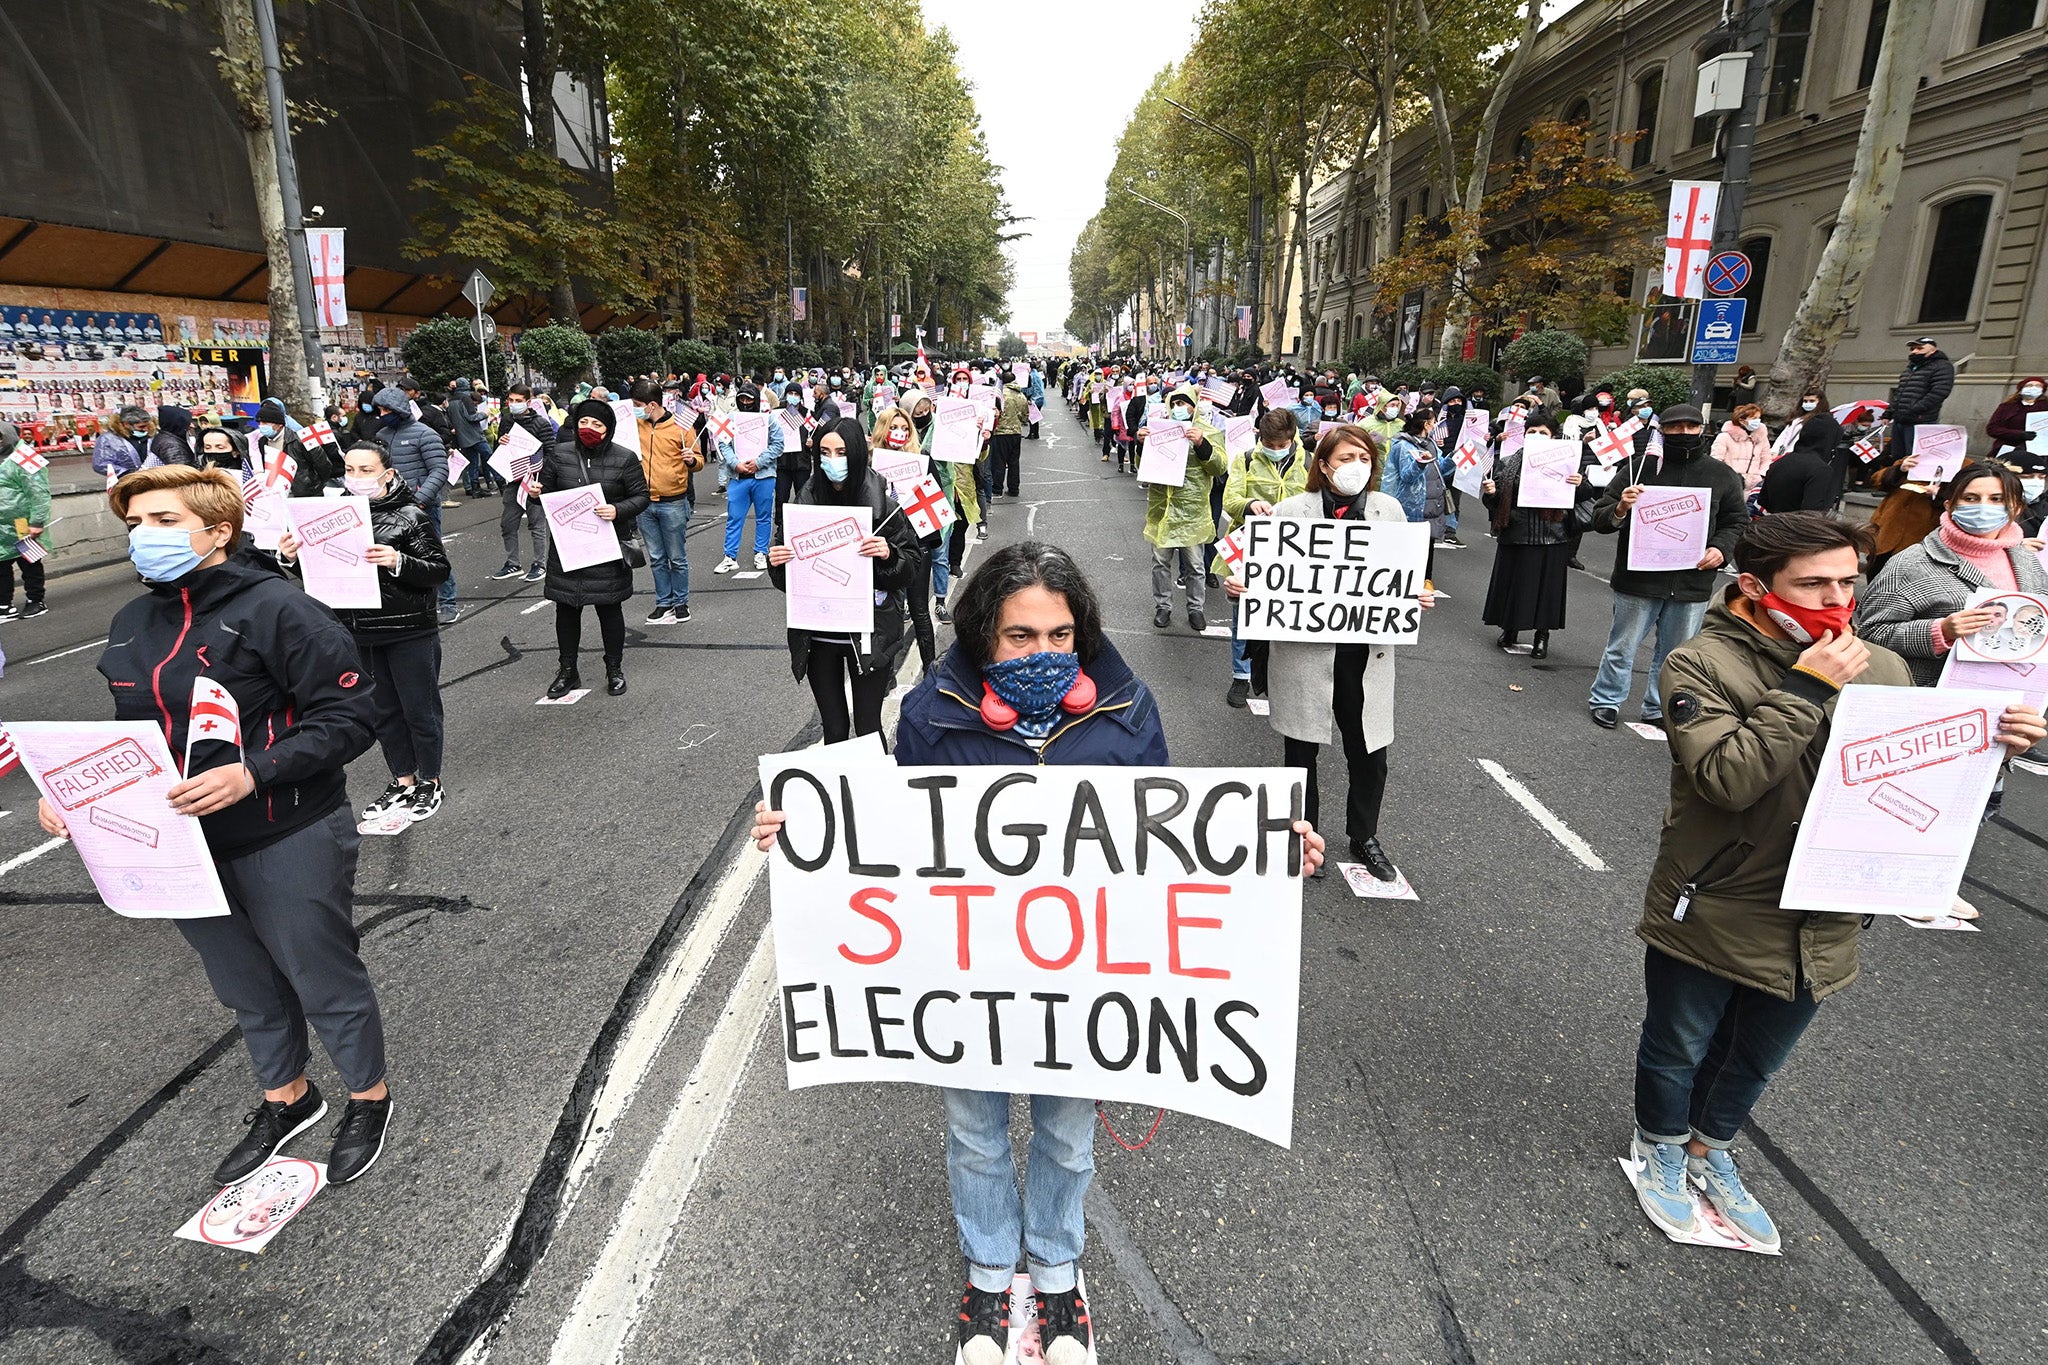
{"x":1709,"y":1049}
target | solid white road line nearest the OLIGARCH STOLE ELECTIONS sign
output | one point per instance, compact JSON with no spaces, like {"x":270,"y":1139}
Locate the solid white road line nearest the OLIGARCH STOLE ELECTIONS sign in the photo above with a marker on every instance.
{"x":611,"y":1301}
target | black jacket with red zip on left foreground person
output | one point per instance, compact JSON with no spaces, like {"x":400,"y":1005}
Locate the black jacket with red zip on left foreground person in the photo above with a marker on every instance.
{"x":288,"y":662}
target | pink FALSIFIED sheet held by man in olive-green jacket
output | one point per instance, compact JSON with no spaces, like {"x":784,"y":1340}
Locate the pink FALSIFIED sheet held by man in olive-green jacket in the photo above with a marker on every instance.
{"x":1897,"y":801}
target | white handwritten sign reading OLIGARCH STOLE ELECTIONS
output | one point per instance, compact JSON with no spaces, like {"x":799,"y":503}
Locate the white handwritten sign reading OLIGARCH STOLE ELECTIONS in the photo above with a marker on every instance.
{"x":1125,"y":934}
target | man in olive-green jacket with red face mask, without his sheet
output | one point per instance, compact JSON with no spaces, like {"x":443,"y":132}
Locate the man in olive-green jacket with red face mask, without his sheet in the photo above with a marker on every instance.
{"x":1732,"y":977}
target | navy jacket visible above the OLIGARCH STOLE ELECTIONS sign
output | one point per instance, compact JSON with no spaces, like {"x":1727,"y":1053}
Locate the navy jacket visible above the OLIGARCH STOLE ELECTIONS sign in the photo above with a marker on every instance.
{"x":941,"y":723}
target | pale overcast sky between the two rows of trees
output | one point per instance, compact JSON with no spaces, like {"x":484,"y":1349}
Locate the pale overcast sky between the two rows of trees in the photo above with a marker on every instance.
{"x":1056,"y":85}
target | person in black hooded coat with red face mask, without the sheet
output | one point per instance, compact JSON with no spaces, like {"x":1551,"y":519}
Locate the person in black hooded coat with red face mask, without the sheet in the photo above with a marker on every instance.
{"x":589,"y":457}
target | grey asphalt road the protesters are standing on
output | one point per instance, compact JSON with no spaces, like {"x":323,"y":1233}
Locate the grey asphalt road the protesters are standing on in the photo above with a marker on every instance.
{"x":595,"y":1155}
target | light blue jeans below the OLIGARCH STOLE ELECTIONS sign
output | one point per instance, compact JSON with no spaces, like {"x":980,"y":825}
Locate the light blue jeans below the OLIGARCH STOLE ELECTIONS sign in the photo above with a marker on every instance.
{"x":982,"y":1170}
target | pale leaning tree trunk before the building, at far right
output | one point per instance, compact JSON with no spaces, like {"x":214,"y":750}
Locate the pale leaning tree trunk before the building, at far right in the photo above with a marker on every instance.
{"x":1838,"y":283}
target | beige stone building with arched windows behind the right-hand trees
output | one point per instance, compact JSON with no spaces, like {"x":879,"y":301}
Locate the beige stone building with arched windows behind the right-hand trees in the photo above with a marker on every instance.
{"x":1961,"y":257}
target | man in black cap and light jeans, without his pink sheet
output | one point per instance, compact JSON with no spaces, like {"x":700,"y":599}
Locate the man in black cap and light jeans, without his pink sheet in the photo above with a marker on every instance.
{"x":1670,"y":603}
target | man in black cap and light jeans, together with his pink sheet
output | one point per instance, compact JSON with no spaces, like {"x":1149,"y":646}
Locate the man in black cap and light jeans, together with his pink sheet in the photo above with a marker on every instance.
{"x":1666,"y":562}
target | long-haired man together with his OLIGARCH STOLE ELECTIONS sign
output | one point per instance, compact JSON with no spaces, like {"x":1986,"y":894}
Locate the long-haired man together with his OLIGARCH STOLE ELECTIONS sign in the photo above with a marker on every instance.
{"x":1033,"y":682}
